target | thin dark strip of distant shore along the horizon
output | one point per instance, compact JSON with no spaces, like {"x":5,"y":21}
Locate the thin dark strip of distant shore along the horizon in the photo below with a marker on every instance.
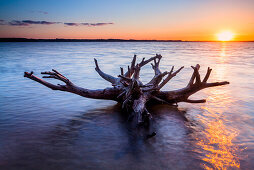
{"x":94,"y":40}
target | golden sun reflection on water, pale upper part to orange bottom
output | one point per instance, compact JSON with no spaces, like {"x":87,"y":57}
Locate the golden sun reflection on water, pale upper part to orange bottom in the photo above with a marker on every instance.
{"x":220,"y":152}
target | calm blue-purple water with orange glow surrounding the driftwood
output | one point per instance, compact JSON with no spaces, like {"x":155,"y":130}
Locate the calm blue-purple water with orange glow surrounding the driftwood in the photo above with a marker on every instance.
{"x":45,"y":129}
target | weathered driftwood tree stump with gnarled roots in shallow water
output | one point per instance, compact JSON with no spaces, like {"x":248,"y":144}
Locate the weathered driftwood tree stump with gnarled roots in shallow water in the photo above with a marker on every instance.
{"x":131,"y":92}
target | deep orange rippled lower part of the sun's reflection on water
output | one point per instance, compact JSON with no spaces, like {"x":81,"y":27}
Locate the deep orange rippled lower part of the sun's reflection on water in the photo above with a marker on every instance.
{"x":221,"y":153}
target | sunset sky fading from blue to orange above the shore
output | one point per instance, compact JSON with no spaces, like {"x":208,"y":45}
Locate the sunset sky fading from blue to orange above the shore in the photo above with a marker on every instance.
{"x":189,"y":20}
